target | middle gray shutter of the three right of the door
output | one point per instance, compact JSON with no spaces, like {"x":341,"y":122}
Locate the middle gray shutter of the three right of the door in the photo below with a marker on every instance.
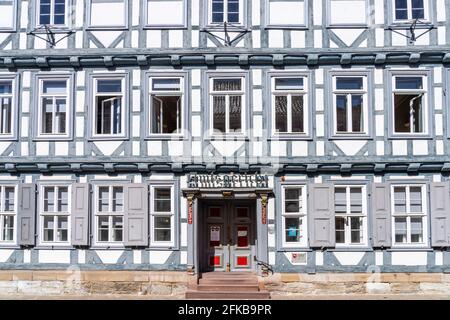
{"x":381,"y":215}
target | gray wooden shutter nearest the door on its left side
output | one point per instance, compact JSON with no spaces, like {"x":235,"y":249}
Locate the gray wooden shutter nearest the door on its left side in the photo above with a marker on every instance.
{"x":136,"y":214}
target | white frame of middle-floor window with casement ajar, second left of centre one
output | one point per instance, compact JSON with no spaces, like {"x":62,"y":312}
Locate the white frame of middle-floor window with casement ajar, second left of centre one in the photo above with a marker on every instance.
{"x":124,"y":106}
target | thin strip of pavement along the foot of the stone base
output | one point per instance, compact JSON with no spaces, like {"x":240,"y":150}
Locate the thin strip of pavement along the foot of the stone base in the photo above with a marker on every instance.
{"x":274,"y":297}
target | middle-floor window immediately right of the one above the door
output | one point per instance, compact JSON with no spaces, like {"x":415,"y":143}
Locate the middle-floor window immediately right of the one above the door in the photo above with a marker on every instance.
{"x":290,"y":107}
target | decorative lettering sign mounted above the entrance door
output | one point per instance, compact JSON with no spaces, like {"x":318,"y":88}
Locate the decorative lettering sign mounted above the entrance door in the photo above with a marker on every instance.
{"x":228,"y":181}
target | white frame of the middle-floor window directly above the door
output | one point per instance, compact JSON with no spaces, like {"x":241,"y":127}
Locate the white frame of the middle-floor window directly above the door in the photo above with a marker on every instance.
{"x":243,"y":93}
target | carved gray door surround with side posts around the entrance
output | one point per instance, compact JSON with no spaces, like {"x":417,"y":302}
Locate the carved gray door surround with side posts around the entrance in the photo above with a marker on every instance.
{"x":193,"y":195}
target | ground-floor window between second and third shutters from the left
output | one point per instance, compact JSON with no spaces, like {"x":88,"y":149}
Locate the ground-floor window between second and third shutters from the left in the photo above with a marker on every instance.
{"x":109,"y":214}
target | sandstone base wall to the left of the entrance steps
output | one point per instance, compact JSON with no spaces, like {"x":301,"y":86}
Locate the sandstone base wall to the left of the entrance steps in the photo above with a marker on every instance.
{"x":152,"y":283}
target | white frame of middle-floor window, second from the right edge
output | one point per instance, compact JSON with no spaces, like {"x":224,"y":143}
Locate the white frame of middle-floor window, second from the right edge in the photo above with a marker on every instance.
{"x":349,"y":93}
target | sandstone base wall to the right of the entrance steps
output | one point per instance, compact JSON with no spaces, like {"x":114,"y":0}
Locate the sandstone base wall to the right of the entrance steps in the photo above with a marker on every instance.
{"x":357,"y":283}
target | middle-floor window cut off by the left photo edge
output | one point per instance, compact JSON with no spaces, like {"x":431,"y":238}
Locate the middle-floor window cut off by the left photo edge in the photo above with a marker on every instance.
{"x":6,"y":107}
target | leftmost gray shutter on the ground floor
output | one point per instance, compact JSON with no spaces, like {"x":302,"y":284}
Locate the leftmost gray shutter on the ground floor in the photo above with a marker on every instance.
{"x":26,"y":214}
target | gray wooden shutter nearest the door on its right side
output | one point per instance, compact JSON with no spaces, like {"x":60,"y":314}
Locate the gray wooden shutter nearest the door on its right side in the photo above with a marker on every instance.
{"x":321,"y":215}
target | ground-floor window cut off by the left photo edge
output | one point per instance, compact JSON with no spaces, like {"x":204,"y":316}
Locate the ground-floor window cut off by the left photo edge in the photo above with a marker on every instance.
{"x":8,"y":212}
